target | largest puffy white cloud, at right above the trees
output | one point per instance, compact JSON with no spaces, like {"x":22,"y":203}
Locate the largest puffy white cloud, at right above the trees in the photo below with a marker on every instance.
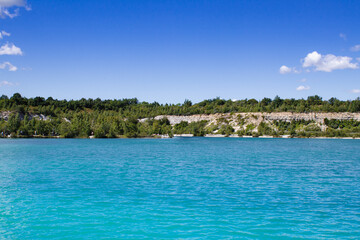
{"x":328,"y":63}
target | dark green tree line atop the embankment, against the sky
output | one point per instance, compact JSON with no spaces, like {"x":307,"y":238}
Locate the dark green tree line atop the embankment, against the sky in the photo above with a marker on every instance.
{"x":132,"y":106}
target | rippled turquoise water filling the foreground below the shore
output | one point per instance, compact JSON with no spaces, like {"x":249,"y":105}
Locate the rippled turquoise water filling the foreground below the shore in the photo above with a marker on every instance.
{"x":181,"y":188}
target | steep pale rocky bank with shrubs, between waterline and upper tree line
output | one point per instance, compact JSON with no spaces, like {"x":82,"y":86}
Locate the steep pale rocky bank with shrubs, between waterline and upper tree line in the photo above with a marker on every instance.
{"x":313,"y":124}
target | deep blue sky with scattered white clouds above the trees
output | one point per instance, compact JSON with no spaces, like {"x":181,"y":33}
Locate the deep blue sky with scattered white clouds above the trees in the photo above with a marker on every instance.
{"x":168,"y":51}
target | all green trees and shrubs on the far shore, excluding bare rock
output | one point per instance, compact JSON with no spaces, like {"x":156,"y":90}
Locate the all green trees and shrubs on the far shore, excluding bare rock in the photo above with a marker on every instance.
{"x":120,"y":118}
